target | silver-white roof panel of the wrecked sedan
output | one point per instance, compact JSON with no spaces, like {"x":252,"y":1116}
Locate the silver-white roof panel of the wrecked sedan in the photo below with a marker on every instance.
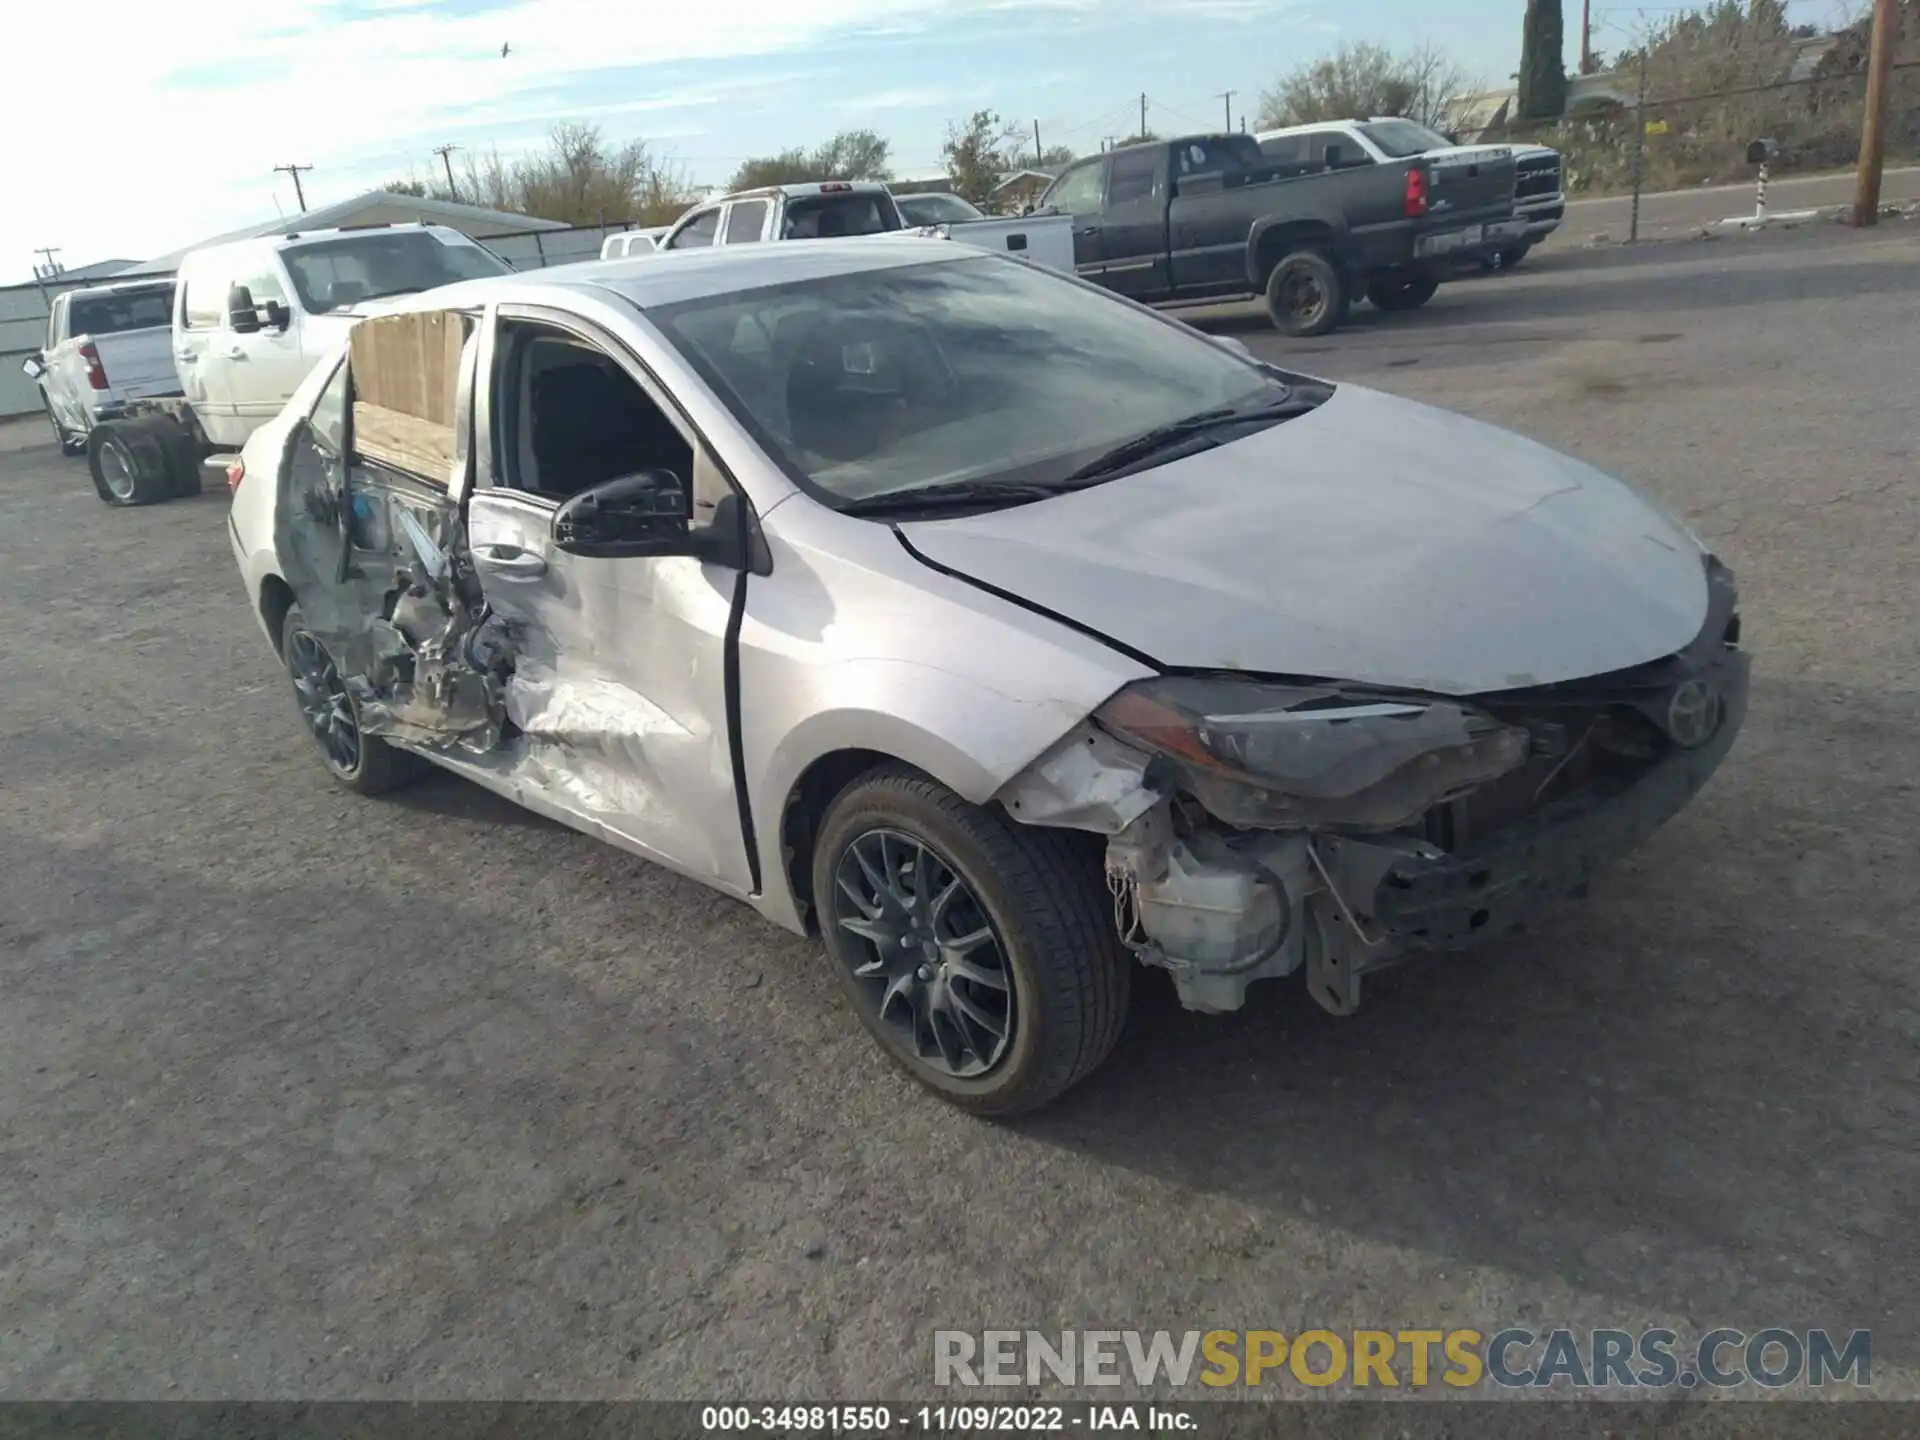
{"x":673,"y":276}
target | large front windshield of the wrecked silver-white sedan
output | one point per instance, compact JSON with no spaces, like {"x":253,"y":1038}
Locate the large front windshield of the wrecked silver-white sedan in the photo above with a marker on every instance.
{"x":974,"y":372}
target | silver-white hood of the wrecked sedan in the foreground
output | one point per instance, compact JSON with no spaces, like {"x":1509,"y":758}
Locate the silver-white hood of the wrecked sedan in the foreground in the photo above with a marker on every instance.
{"x":1372,"y":540}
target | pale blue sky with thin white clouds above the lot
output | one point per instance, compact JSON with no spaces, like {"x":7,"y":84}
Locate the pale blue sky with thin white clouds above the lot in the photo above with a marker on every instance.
{"x":156,"y":126}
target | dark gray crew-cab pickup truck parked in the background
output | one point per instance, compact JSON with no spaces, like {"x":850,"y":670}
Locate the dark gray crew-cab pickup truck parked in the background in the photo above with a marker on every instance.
{"x":1211,"y":218}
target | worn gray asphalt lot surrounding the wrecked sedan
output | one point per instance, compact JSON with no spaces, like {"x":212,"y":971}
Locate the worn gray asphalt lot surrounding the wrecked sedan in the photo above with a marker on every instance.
{"x":304,"y":1095}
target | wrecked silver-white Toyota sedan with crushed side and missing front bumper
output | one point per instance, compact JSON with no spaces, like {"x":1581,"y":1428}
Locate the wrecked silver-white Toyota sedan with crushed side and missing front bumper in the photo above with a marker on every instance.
{"x":999,"y":631}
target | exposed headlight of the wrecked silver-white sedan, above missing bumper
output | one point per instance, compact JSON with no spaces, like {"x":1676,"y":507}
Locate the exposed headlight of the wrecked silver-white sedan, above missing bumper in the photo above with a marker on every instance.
{"x":1278,"y":757}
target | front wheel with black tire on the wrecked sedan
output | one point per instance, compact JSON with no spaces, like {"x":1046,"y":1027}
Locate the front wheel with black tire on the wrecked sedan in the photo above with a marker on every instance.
{"x":963,"y":873}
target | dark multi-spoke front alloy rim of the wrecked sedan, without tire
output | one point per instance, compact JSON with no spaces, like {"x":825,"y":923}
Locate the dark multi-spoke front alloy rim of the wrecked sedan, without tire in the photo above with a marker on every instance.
{"x":930,"y":963}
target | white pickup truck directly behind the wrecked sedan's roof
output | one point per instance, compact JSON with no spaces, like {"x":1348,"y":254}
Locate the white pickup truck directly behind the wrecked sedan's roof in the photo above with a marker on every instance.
{"x":855,"y":208}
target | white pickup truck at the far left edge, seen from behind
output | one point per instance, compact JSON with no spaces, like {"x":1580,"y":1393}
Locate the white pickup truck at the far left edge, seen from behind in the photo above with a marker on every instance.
{"x":105,"y":347}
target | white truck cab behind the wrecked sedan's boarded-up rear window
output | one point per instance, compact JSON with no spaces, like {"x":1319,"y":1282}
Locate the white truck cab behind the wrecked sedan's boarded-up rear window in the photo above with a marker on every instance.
{"x":254,"y":316}
